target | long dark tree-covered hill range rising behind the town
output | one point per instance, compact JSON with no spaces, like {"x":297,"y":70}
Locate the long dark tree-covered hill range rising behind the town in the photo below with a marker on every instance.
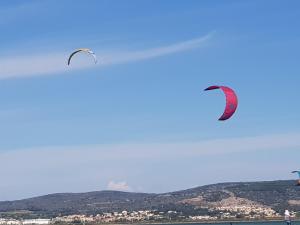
{"x":278,"y":195}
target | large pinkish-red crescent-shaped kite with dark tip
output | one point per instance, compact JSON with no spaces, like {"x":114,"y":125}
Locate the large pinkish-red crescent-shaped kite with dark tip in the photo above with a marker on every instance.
{"x":231,"y":101}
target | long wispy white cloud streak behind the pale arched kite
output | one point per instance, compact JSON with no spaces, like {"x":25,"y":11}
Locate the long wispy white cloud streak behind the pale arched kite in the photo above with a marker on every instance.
{"x":48,"y":64}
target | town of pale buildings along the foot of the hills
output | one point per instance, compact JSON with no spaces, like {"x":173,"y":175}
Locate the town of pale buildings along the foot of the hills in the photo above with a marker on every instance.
{"x":236,"y":213}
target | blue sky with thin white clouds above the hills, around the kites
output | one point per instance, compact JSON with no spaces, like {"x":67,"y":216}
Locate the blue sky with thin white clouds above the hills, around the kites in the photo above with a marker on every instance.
{"x":140,"y":121}
